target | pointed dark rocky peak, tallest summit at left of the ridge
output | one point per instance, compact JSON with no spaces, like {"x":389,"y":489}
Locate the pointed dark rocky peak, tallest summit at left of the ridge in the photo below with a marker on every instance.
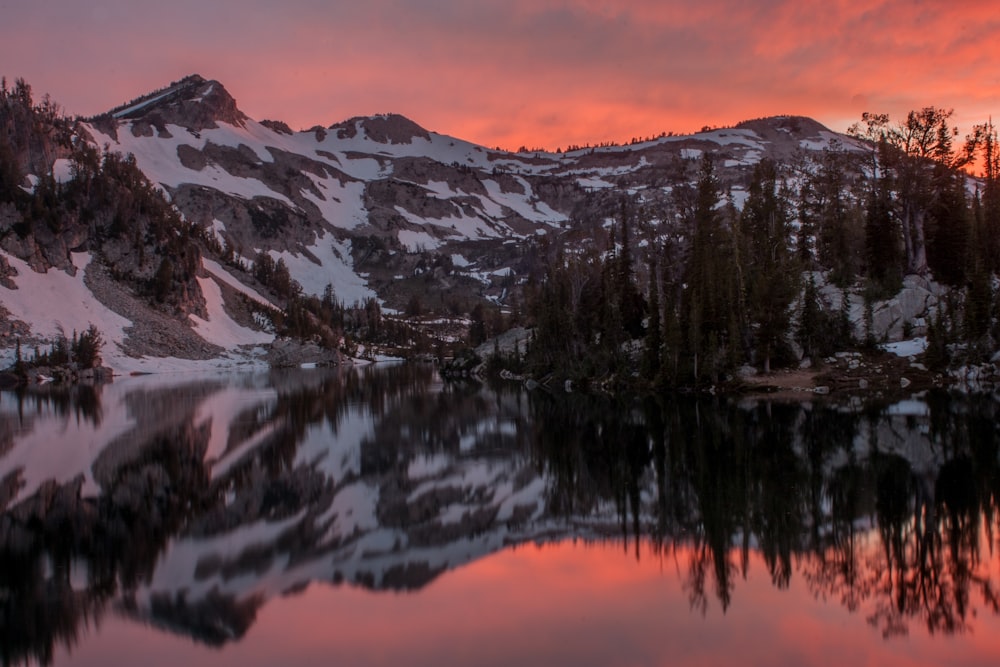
{"x":193,"y":102}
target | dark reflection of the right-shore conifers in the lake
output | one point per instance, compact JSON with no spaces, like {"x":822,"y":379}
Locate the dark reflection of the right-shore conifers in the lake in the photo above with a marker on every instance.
{"x":886,"y":513}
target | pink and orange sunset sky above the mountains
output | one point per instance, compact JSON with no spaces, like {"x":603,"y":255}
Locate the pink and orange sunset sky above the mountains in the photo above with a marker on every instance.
{"x":512,"y":73}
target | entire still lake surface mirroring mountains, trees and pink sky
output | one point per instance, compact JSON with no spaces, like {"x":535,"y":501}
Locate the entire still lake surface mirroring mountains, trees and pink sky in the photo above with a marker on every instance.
{"x":378,"y":516}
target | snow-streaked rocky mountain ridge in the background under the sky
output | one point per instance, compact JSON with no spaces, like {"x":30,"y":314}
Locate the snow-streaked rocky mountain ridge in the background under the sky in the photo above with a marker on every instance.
{"x":368,"y":203}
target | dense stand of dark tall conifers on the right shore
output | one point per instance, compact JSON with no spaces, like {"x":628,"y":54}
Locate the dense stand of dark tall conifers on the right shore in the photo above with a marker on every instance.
{"x":693,"y":286}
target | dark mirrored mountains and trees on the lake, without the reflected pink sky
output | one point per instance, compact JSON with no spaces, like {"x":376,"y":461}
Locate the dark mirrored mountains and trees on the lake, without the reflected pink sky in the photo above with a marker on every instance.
{"x":191,"y":503}
